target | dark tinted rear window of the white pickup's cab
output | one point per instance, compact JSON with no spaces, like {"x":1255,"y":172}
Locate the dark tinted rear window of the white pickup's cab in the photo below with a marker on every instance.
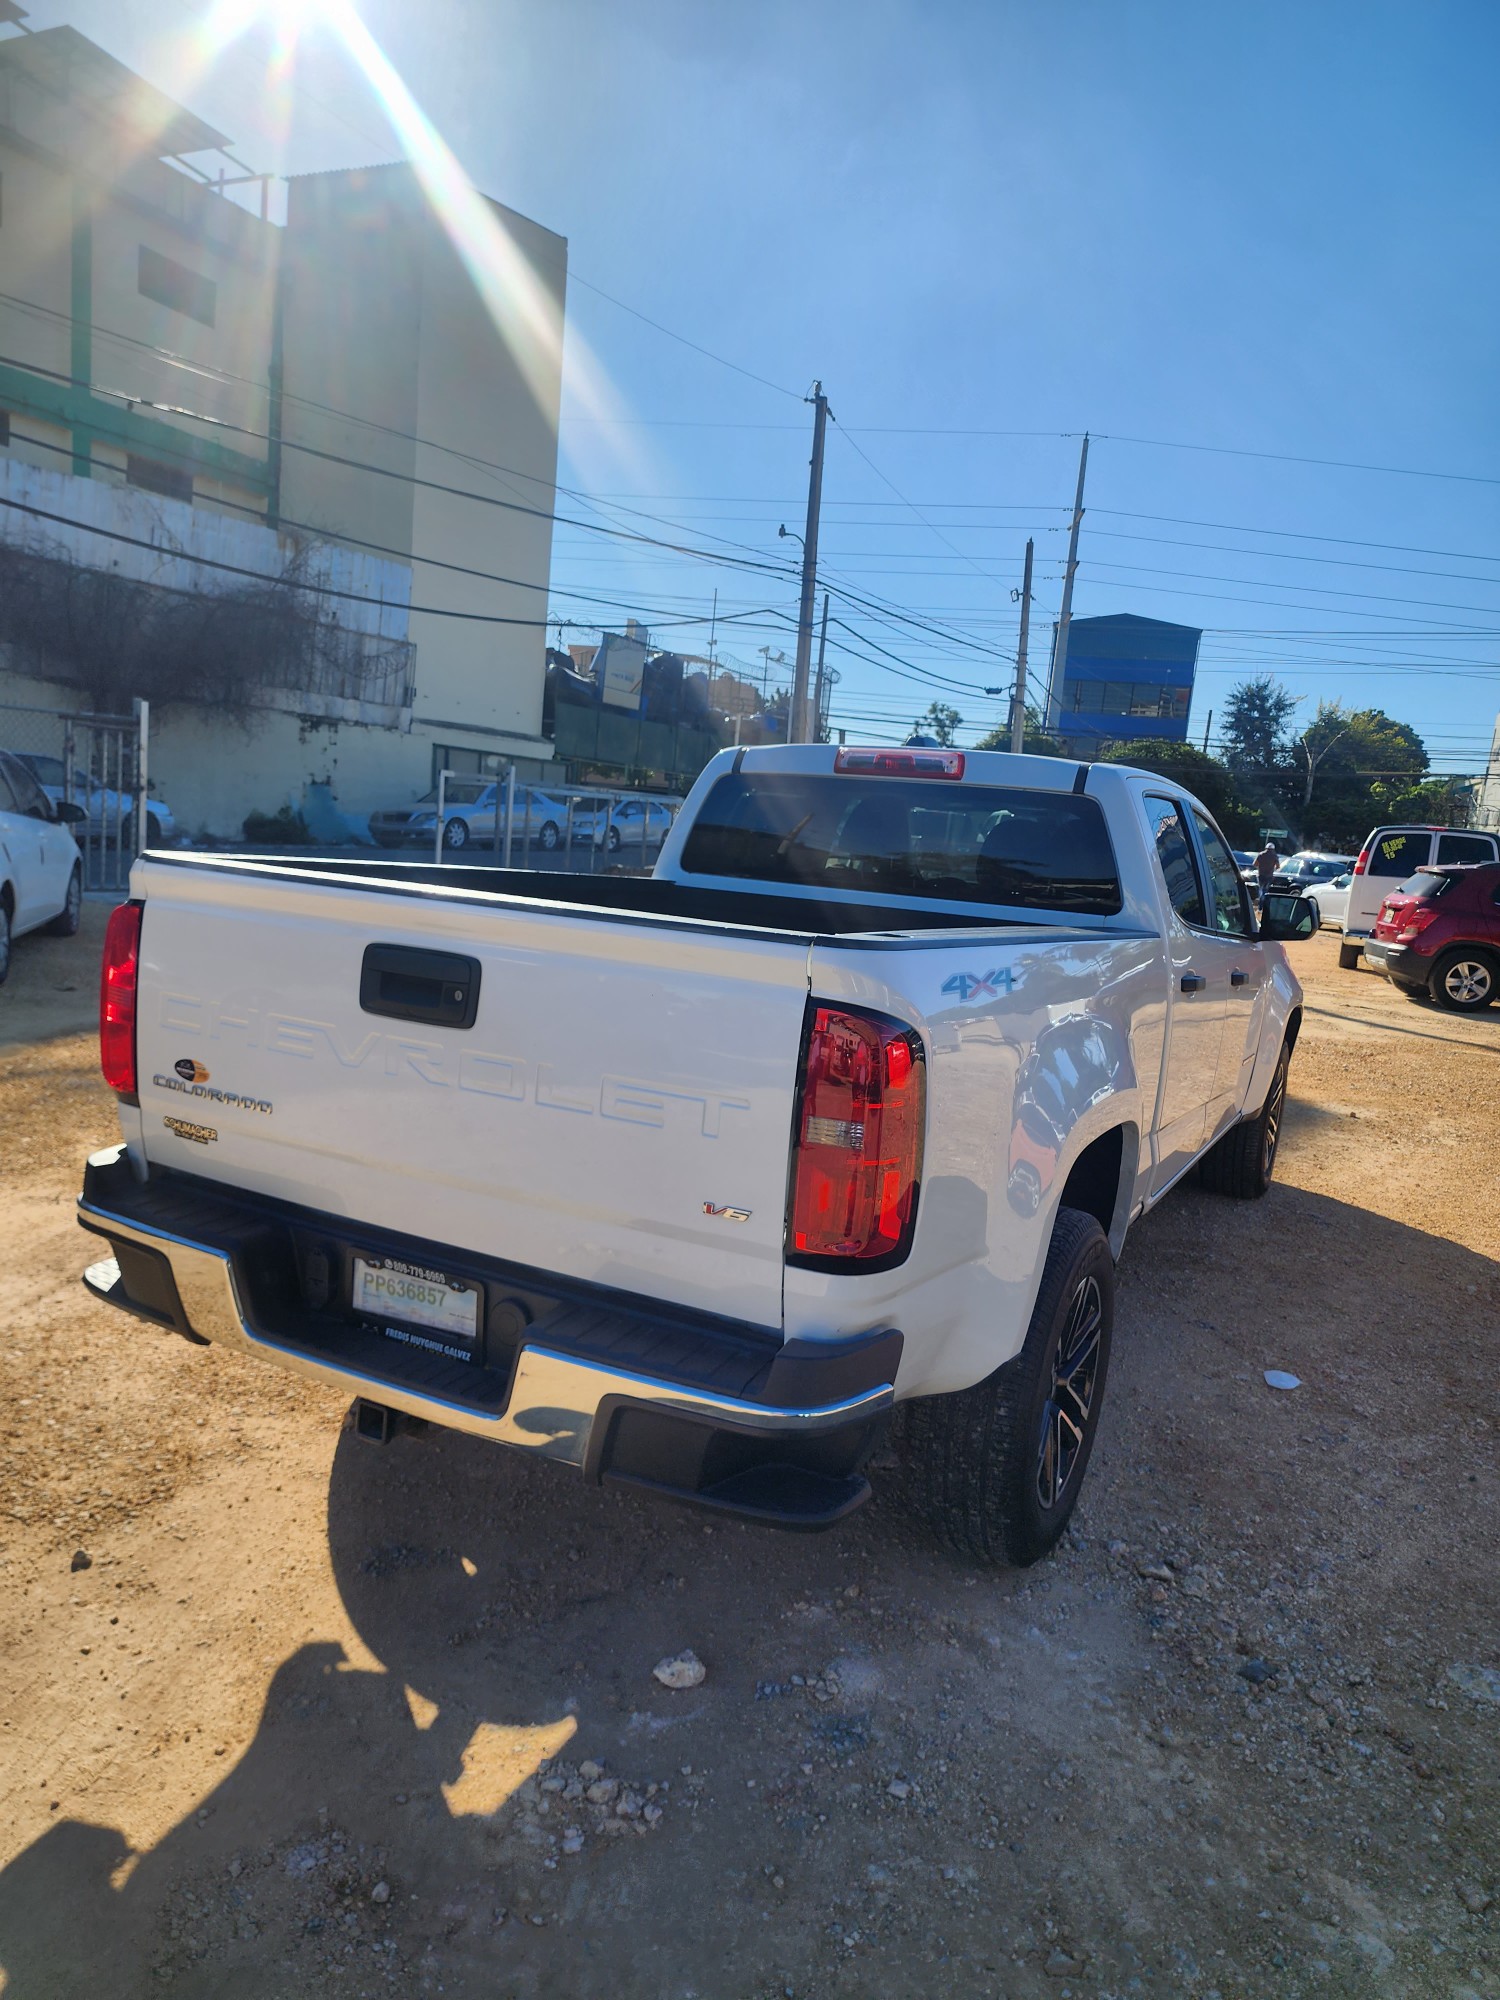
{"x":905,"y":837}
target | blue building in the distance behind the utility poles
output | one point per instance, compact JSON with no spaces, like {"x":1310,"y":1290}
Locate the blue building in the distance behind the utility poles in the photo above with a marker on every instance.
{"x":1125,"y":677}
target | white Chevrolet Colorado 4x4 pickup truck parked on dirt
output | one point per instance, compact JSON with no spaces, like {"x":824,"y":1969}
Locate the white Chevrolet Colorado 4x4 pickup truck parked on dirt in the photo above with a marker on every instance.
{"x":691,"y":1181}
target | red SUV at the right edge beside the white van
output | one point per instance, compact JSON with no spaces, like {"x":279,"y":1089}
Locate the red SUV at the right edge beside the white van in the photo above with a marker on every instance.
{"x":1441,"y":935}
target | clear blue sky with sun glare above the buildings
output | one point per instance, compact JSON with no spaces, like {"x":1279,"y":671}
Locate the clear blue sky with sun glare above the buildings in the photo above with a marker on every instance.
{"x":1251,"y":251}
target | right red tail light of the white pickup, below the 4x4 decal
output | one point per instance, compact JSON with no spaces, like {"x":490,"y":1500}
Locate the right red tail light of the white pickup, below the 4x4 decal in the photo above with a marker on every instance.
{"x":857,"y":1159}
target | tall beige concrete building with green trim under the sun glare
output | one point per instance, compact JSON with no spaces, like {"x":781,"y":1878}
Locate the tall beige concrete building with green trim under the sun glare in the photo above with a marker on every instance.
{"x":197,"y":397}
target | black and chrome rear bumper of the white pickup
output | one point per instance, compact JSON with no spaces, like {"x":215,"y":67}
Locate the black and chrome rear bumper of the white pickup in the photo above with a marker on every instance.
{"x":615,"y":1387}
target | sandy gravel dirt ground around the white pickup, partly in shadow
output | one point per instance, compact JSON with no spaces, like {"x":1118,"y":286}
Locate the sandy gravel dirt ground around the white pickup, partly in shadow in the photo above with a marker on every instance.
{"x":333,"y":1721}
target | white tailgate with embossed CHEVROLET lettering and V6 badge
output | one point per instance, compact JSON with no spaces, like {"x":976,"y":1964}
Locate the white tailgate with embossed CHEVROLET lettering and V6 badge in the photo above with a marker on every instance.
{"x":619,"y":1111}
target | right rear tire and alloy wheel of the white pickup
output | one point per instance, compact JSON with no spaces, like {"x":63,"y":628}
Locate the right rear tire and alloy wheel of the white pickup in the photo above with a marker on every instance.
{"x":997,"y":1469}
